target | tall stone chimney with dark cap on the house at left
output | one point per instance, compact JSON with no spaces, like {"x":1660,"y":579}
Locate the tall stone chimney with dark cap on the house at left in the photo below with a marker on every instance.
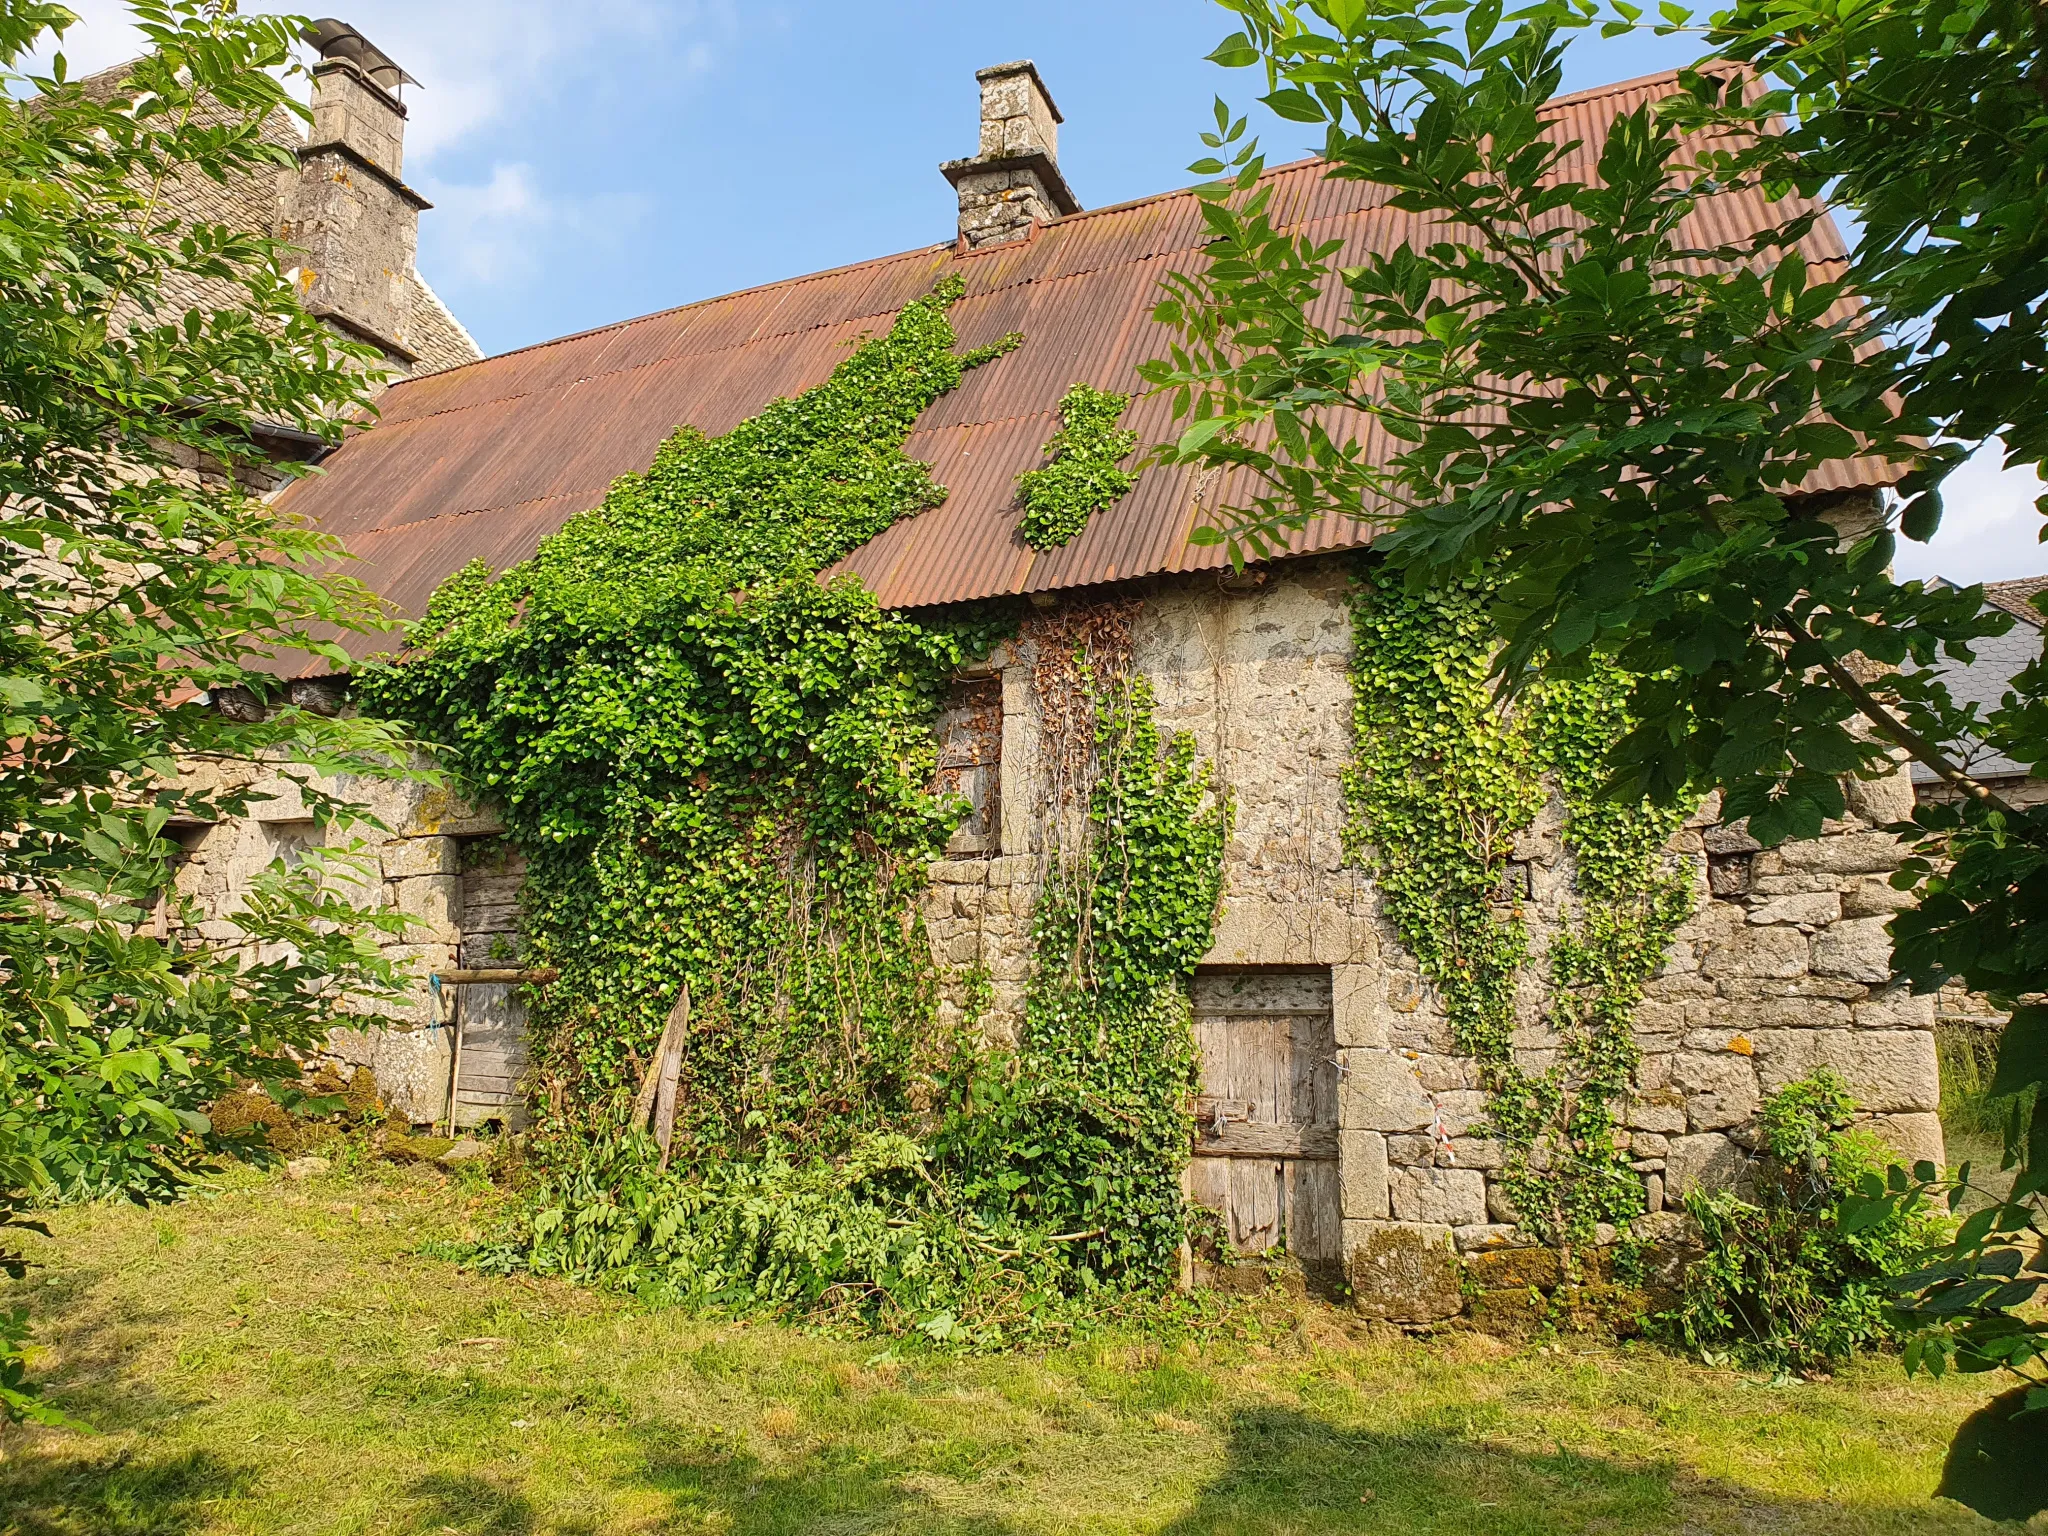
{"x":351,"y":216}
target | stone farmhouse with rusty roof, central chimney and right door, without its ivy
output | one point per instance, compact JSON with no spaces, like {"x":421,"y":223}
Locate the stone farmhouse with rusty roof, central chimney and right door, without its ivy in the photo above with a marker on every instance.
{"x":1336,"y":1111}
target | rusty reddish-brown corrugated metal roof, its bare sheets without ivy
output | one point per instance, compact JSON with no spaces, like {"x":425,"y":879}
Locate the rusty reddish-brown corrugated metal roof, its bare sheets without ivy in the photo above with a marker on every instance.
{"x":486,"y":460}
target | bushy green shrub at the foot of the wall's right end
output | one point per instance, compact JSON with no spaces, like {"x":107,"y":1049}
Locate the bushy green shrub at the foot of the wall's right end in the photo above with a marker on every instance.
{"x":1785,"y":1281}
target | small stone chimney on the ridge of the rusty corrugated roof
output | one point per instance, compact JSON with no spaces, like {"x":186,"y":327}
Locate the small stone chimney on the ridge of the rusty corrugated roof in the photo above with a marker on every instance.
{"x":1015,"y":183}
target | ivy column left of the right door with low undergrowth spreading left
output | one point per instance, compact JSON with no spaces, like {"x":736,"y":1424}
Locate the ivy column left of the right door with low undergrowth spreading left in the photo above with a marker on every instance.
{"x":1050,"y":1185}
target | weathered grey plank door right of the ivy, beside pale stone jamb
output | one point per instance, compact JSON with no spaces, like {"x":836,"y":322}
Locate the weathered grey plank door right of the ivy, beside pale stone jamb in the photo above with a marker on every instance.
{"x":1267,"y":1119}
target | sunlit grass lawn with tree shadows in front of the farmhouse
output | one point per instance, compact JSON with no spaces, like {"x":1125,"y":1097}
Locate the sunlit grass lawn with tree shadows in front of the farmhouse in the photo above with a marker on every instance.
{"x":280,"y":1359}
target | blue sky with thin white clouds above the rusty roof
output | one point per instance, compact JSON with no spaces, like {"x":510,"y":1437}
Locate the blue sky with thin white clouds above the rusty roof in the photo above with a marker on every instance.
{"x":609,"y":159}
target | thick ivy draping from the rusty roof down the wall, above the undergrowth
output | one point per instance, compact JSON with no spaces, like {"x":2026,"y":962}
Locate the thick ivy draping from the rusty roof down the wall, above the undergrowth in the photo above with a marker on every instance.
{"x":720,"y":767}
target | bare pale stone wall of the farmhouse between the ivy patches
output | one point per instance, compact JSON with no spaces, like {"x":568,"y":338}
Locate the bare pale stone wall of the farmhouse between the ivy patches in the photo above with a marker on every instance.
{"x":1781,"y":970}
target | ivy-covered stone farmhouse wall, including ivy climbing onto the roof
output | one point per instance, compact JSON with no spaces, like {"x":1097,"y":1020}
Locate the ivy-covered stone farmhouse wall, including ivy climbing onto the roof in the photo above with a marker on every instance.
{"x":953,"y":1093}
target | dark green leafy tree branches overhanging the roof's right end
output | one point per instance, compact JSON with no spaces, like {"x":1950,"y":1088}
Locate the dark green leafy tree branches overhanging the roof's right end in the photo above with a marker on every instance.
{"x":1633,"y":417}
